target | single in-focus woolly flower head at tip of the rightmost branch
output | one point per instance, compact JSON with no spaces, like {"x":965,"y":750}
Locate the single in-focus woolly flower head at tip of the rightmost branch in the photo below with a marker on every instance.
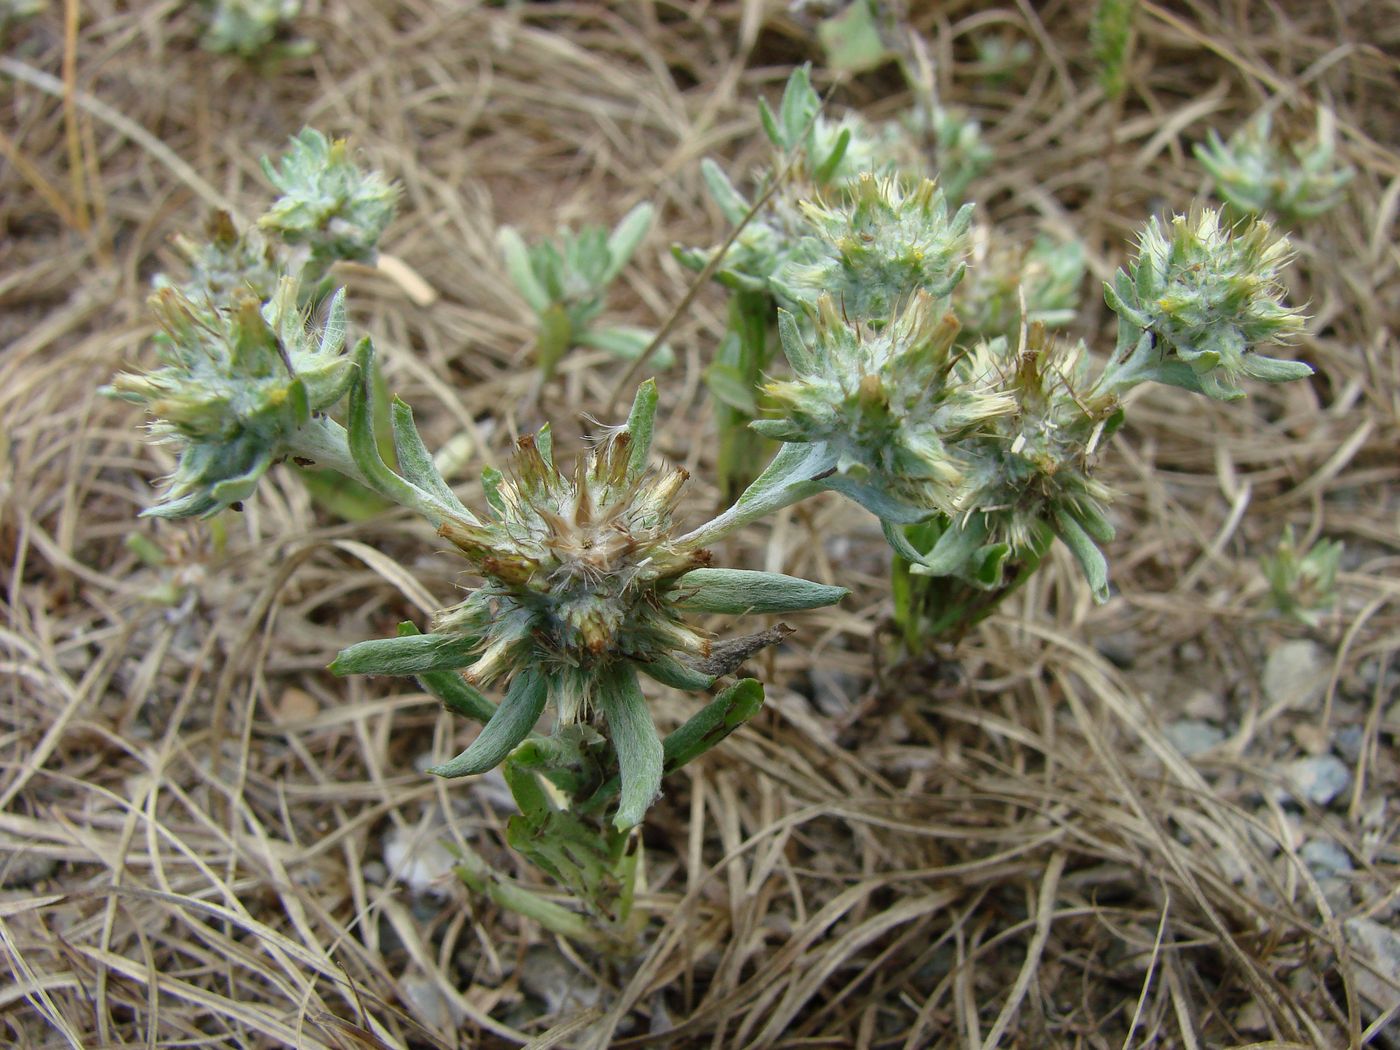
{"x":1210,"y":296}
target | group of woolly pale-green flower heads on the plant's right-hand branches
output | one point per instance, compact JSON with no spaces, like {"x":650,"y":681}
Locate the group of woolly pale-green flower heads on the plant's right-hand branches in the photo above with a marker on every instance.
{"x":995,"y":437}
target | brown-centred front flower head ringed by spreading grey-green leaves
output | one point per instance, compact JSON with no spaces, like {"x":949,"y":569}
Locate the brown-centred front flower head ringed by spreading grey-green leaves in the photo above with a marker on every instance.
{"x":584,"y":586}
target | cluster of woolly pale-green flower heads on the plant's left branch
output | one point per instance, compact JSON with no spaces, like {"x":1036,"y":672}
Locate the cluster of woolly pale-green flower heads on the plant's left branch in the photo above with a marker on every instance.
{"x":241,"y":377}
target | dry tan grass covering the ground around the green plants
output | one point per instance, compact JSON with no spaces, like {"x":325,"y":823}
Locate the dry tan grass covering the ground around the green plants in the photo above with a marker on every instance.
{"x":1000,"y":849}
